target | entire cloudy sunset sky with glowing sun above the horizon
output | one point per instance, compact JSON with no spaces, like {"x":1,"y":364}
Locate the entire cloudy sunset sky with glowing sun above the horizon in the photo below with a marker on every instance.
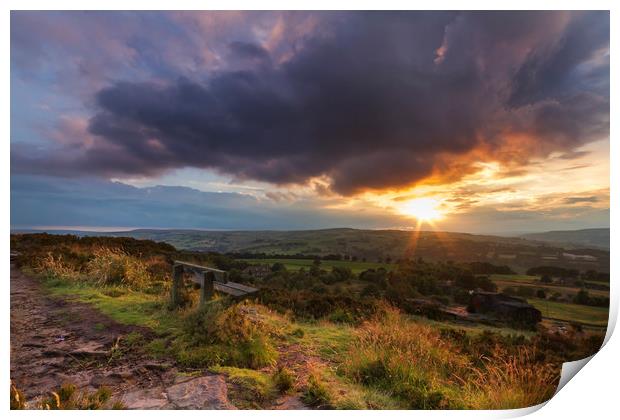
{"x":482,"y":122}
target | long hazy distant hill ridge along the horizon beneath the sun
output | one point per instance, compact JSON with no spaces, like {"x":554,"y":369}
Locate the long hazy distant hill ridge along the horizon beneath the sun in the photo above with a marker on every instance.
{"x":377,"y":245}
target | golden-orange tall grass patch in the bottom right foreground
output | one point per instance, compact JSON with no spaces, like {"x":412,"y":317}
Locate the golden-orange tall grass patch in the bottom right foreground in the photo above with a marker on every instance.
{"x":414,"y":363}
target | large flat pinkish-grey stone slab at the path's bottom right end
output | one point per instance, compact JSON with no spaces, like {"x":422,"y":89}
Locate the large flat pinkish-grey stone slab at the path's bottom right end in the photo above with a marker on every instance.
{"x":206,"y":392}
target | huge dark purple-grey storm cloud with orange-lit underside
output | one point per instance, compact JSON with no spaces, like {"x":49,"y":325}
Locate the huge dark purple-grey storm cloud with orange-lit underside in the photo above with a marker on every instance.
{"x":378,"y":100}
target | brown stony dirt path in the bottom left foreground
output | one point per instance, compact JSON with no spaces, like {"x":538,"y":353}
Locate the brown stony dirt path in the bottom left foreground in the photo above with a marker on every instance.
{"x":54,"y":341}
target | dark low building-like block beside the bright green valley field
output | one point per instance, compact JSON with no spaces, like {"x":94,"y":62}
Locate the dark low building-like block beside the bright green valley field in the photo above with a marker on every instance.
{"x":504,"y":307}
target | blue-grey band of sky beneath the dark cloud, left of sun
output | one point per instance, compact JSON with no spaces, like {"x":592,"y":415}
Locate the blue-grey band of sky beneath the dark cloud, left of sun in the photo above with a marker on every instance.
{"x":42,"y":200}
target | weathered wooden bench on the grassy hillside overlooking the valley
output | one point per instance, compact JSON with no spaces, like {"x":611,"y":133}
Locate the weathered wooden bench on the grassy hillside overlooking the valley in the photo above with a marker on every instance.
{"x":210,"y":280}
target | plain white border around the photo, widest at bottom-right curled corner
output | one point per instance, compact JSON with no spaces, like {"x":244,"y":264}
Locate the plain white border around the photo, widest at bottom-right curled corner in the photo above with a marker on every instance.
{"x":592,"y":394}
